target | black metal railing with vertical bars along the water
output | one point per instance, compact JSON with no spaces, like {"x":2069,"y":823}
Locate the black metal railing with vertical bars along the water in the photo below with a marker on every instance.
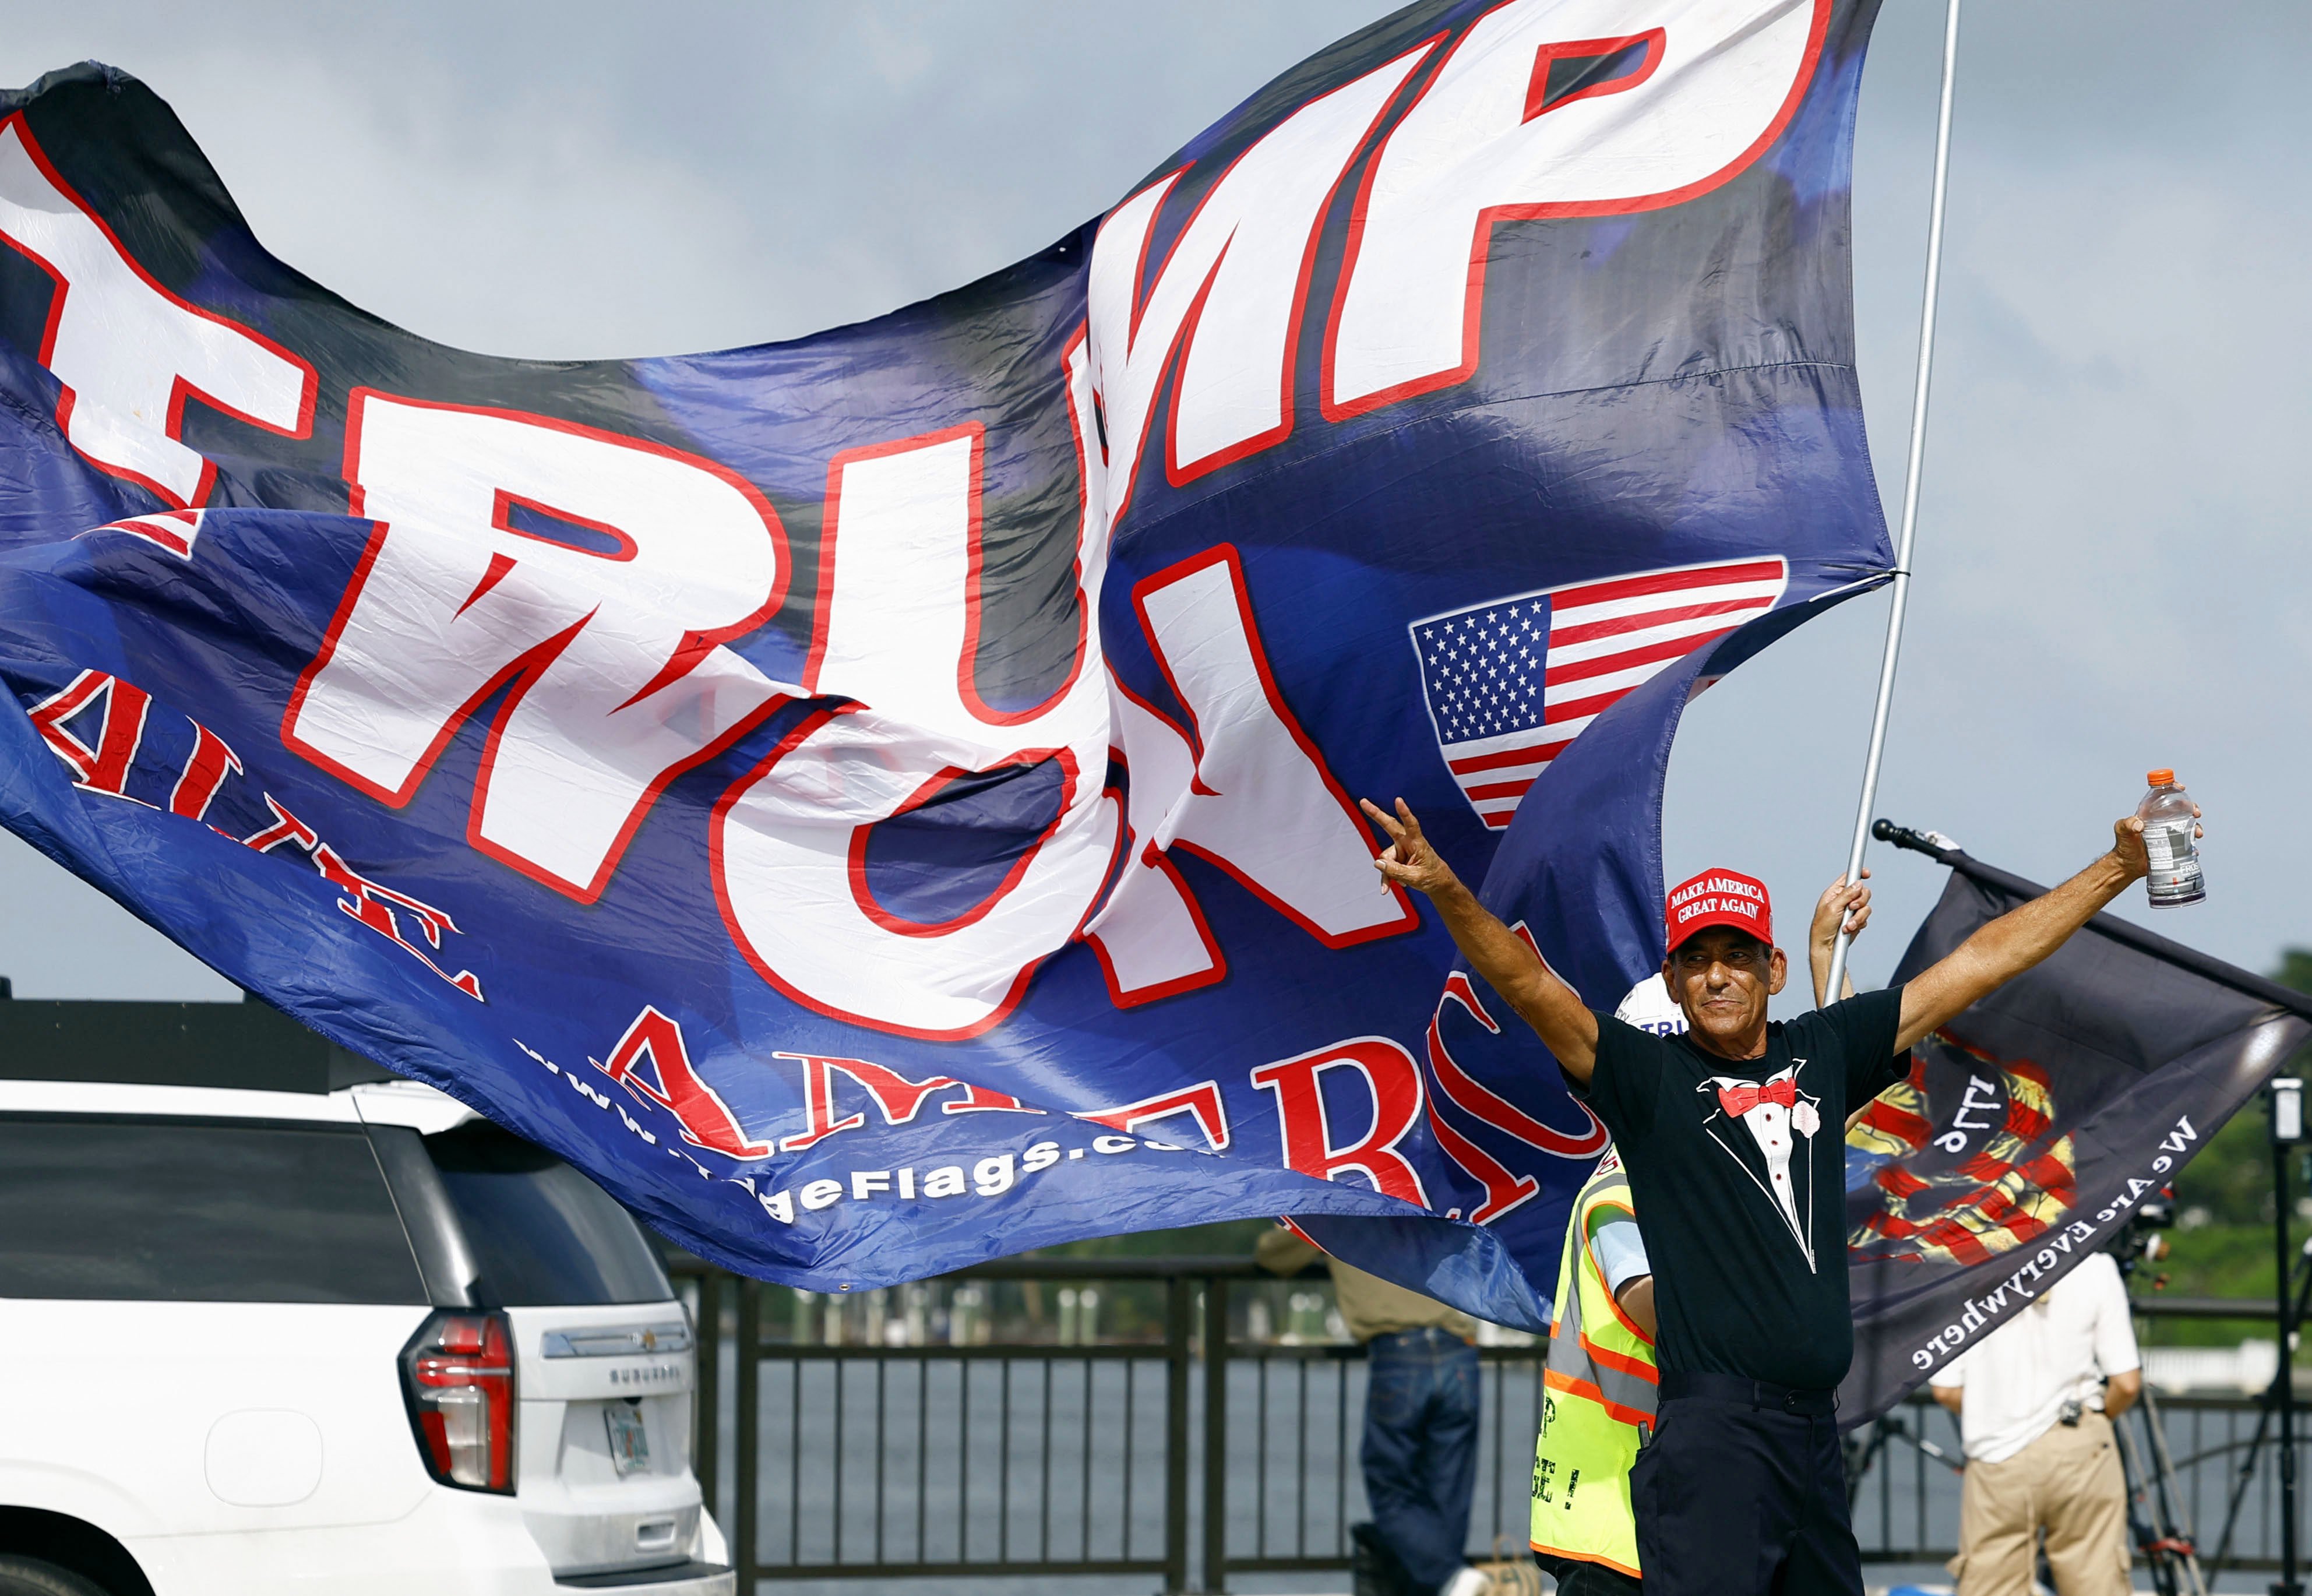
{"x":1196,"y":1451}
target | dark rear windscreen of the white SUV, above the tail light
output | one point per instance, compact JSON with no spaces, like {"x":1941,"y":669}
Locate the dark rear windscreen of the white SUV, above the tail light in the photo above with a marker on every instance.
{"x":542,"y":1234}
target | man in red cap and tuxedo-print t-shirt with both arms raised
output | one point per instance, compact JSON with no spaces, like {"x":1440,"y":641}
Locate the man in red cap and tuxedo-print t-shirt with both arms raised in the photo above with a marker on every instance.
{"x":1731,"y":1137}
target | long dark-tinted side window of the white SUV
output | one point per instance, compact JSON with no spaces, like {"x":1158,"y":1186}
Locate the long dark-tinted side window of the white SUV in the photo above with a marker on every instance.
{"x":198,"y":1211}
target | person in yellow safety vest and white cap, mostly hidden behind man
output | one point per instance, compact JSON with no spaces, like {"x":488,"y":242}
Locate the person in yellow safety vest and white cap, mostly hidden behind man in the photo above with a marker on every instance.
{"x":1599,"y":1380}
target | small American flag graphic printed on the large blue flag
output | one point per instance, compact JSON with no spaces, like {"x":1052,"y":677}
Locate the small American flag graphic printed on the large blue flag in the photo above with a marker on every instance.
{"x":1513,"y":681}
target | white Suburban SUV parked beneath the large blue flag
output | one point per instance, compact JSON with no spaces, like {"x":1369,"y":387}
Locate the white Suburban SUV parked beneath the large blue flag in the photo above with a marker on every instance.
{"x":341,"y":1343}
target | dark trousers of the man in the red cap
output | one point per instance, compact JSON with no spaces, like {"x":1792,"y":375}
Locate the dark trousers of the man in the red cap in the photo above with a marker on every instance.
{"x":1742,"y":1493}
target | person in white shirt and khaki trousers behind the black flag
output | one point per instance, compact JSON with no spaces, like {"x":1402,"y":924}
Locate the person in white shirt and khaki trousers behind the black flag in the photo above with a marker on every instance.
{"x":2036,"y":1405}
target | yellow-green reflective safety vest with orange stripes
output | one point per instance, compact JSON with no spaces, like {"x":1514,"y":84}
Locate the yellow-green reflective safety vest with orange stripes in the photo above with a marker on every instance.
{"x":1599,"y":1396}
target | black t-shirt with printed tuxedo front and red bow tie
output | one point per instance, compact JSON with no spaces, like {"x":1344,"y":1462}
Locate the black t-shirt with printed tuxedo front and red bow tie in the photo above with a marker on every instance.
{"x":1737,"y":1172}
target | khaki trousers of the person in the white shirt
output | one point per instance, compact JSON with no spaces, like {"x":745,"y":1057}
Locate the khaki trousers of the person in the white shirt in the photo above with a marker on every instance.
{"x":2068,"y":1484}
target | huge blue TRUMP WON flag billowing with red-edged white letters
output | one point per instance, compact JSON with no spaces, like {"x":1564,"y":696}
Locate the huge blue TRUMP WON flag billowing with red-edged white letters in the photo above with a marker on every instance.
{"x":887,"y":799}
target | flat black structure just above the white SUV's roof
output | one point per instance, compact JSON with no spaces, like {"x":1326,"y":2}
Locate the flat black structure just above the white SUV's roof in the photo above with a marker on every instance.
{"x":246,"y":1047}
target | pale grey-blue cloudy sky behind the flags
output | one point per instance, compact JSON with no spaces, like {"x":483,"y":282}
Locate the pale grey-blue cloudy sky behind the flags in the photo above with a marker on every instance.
{"x":2107,"y":566}
